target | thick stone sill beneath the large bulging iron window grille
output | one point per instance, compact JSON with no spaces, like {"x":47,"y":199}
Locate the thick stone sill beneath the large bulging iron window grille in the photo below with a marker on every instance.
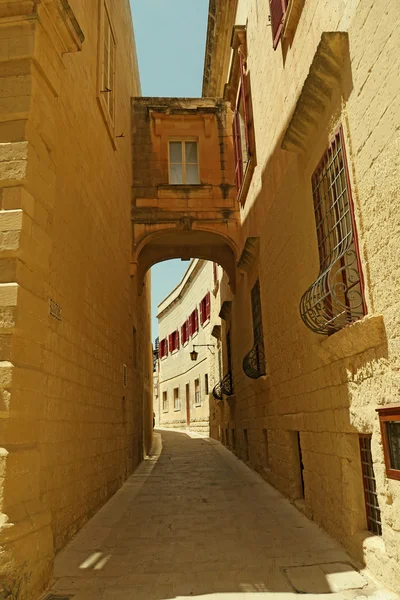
{"x":357,"y":338}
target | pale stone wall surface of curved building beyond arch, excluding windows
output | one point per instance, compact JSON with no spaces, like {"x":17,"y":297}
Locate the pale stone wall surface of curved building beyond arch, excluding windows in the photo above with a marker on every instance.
{"x":177,"y":370}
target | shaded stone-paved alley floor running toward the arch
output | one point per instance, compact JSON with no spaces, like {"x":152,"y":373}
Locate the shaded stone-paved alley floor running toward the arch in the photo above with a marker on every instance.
{"x":193,"y":521}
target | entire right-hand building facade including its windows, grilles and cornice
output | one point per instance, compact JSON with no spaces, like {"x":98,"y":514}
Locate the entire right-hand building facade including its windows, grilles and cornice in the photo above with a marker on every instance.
{"x":313,"y":327}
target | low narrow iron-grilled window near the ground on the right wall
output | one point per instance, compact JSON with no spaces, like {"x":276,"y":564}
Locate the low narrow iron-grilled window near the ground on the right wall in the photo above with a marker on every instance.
{"x":374,"y":522}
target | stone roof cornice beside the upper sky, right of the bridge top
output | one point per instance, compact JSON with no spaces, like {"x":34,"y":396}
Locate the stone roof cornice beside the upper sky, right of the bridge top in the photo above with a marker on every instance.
{"x":221,"y":19}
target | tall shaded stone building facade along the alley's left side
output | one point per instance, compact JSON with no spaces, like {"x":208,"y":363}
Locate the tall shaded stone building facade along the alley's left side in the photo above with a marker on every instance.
{"x":75,"y":404}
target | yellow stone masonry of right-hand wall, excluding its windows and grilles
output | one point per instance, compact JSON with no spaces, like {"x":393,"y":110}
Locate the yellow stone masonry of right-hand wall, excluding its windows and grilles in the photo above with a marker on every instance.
{"x":325,"y":388}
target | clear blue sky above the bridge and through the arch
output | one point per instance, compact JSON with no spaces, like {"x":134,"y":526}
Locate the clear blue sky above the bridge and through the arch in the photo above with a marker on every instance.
{"x":170,"y":40}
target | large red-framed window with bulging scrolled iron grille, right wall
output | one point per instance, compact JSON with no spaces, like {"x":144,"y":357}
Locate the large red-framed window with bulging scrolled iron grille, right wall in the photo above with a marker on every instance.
{"x":336,"y":298}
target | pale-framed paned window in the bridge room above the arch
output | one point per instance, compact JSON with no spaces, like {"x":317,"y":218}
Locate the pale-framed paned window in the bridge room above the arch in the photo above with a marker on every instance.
{"x":183,"y":162}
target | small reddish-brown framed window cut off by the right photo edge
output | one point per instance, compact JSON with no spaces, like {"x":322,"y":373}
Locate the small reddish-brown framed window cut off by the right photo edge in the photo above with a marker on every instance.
{"x":389,"y":417}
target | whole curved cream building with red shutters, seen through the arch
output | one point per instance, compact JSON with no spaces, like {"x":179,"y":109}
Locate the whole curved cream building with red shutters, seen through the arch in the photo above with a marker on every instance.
{"x":188,"y":321}
